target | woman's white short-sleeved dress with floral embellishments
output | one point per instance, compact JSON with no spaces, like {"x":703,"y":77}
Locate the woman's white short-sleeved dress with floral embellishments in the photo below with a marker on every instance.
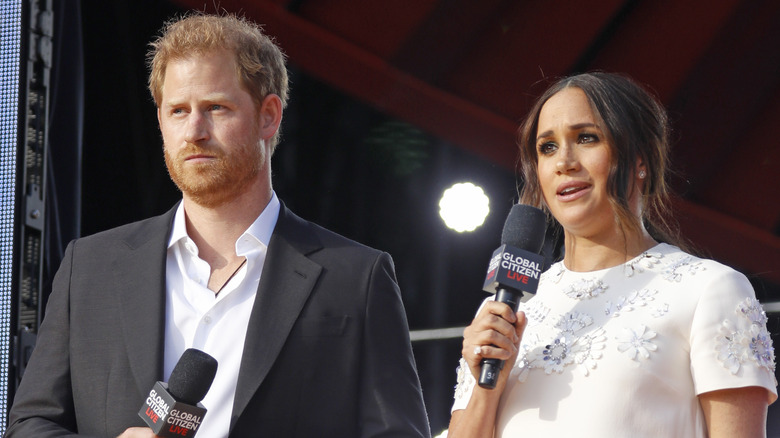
{"x":624,"y":351}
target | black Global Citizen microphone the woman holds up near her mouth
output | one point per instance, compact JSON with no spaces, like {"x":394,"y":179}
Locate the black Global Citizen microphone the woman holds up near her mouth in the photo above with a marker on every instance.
{"x":514,"y":268}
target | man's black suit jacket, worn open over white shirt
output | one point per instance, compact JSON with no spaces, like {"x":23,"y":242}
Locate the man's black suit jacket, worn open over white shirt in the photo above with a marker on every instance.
{"x":327,"y":351}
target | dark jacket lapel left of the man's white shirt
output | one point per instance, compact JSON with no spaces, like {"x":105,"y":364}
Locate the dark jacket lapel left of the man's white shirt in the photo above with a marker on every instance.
{"x":140,"y":279}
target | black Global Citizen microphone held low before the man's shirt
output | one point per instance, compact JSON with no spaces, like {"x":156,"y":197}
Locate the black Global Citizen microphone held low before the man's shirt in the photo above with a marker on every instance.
{"x":173,"y":409}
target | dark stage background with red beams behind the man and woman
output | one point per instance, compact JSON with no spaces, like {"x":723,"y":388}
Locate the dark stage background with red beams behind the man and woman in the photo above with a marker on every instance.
{"x":392,"y":102}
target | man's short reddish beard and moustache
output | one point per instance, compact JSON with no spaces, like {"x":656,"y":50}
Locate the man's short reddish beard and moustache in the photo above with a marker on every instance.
{"x":220,"y":180}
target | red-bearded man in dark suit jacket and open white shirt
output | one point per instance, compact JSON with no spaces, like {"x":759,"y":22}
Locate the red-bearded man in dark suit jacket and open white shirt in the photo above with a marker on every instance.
{"x":307,"y":327}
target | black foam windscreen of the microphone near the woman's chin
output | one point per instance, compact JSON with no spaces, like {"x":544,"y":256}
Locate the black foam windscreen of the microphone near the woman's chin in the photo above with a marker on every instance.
{"x":525,"y":228}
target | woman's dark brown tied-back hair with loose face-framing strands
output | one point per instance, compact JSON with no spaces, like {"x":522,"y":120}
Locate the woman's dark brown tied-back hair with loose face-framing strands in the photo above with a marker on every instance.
{"x":638,"y":130}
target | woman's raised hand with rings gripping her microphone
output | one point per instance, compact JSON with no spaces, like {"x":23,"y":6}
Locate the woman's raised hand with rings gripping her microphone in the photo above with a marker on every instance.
{"x":494,"y":333}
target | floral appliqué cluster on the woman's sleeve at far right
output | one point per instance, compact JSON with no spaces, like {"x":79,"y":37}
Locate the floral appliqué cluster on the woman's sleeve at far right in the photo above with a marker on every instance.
{"x":737,"y":344}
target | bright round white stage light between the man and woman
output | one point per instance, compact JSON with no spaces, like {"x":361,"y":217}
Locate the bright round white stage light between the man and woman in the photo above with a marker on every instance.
{"x":464,"y":207}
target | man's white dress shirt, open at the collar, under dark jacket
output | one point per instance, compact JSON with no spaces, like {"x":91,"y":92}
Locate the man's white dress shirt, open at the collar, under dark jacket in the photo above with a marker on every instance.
{"x":196,"y":317}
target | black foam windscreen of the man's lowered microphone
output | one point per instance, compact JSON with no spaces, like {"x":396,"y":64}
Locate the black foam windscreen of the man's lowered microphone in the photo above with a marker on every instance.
{"x":192,"y":376}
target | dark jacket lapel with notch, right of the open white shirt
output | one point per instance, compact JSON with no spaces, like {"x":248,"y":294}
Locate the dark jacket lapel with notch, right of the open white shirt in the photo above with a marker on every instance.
{"x":287,"y":281}
